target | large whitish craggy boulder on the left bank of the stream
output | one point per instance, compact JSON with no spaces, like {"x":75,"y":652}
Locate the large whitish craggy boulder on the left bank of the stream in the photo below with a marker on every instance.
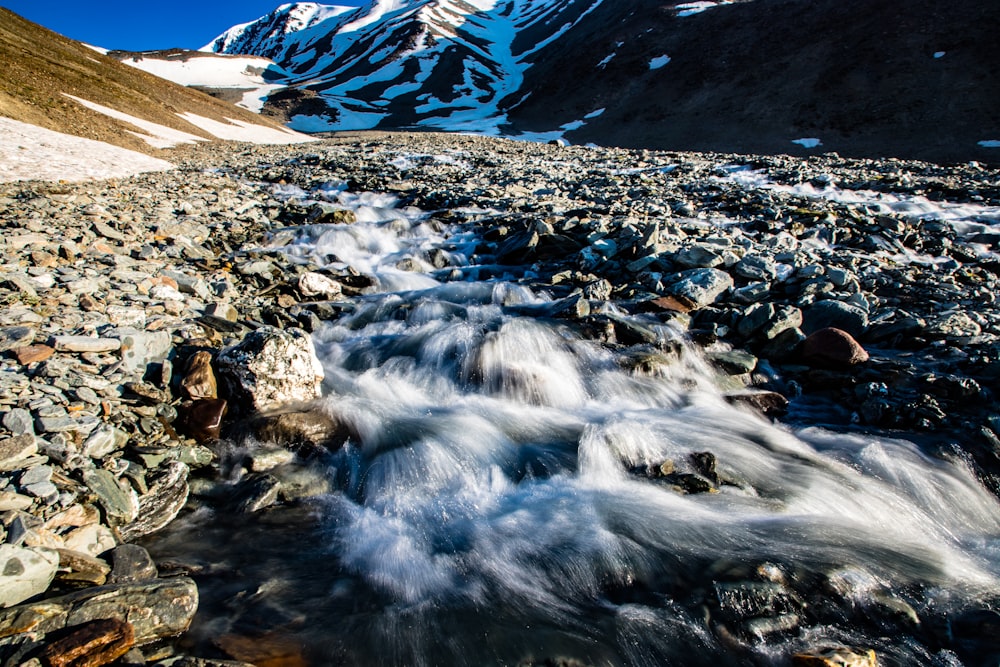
{"x":270,"y":368}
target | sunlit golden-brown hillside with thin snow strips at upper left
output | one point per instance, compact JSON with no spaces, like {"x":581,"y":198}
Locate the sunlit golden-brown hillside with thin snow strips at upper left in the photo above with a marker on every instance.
{"x":42,"y":69}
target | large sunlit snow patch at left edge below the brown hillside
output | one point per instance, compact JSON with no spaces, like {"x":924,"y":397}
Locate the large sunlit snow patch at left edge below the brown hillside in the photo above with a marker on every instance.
{"x":29,"y":152}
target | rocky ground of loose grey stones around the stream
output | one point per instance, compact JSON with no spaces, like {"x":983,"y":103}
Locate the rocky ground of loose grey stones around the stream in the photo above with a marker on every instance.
{"x":152,"y":324}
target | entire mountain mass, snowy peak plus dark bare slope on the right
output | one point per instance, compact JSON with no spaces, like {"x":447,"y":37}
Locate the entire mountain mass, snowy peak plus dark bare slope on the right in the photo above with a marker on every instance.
{"x":910,"y":78}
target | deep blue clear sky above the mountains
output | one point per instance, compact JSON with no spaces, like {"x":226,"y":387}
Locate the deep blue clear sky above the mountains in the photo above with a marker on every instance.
{"x":142,"y":25}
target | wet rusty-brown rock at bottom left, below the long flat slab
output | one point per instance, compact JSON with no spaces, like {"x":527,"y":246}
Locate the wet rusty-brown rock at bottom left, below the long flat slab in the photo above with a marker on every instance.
{"x":92,"y":644}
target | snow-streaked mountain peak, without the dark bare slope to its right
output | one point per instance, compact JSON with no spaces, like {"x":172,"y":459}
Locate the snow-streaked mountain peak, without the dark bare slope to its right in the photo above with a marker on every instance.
{"x":450,"y":64}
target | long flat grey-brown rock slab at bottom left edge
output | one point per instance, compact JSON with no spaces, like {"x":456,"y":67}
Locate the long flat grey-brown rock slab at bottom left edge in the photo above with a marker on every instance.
{"x":156,"y":609}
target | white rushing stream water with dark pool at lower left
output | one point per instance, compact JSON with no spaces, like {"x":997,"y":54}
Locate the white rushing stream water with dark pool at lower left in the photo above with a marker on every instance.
{"x":494,"y":505}
